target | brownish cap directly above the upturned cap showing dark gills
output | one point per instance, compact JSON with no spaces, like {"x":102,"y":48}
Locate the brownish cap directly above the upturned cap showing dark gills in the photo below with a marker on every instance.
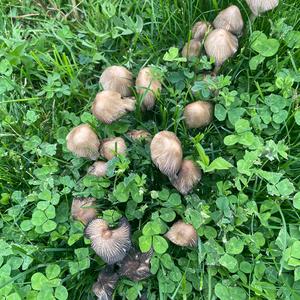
{"x":82,"y":209}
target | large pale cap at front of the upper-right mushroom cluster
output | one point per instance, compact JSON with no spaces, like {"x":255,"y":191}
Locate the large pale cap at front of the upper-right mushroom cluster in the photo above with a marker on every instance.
{"x":221,"y":45}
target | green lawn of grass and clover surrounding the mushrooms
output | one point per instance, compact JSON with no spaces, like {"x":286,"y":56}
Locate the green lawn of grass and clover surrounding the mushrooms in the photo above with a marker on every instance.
{"x":246,"y":207}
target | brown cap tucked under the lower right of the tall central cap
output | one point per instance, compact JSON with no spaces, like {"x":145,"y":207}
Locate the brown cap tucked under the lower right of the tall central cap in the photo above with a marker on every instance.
{"x":189,"y":175}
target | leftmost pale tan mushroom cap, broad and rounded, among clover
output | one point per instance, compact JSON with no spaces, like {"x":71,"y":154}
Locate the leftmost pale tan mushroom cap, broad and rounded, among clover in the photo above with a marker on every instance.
{"x":83,"y":142}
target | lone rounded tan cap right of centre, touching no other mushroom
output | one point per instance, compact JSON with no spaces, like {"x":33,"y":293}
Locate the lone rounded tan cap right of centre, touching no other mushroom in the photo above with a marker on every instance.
{"x":198,"y":114}
